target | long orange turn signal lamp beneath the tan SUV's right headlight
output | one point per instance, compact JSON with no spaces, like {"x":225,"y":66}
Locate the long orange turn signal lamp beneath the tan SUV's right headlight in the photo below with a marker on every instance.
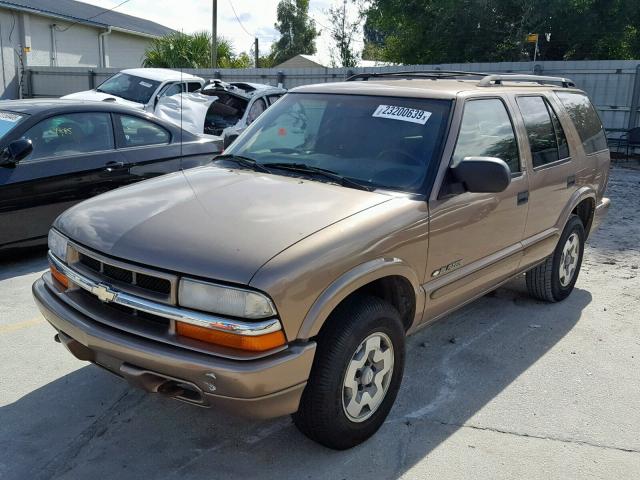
{"x":259,"y":343}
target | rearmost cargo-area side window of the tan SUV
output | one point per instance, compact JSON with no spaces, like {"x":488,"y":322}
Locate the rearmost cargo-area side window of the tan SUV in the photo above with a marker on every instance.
{"x":586,"y":120}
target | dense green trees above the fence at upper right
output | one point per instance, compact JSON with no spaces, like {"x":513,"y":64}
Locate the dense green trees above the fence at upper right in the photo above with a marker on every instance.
{"x":445,"y":31}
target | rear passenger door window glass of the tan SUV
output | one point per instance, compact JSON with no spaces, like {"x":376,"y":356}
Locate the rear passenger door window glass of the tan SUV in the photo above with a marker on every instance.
{"x":543,"y":139}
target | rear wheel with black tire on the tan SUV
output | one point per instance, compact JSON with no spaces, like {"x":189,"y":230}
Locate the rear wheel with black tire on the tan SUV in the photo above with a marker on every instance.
{"x":550,"y":281}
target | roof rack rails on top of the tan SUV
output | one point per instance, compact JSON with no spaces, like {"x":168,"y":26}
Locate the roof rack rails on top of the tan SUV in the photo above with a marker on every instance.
{"x":486,"y":79}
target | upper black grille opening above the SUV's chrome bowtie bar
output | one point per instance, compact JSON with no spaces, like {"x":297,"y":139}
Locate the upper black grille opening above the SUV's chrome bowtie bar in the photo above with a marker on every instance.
{"x":128,"y":278}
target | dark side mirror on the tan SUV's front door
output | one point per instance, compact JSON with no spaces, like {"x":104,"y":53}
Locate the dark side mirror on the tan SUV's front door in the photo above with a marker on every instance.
{"x":483,"y":174}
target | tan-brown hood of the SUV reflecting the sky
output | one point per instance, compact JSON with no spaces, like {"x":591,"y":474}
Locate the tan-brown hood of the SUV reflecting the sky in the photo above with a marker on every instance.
{"x":210,"y":222}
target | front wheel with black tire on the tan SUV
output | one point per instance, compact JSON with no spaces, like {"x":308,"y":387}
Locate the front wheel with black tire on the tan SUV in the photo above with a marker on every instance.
{"x":343,"y":344}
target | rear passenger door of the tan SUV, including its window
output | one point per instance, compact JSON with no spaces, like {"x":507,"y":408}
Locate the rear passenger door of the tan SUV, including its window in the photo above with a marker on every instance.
{"x":553,"y":176}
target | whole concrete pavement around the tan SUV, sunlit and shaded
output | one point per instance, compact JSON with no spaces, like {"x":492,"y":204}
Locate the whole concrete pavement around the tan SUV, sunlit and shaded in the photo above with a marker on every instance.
{"x":506,"y":388}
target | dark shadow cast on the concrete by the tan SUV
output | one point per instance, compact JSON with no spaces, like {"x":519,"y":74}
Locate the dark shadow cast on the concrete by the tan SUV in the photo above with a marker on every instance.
{"x":89,"y":424}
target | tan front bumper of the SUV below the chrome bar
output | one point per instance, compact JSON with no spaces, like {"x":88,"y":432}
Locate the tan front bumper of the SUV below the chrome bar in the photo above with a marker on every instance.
{"x":263,"y":388}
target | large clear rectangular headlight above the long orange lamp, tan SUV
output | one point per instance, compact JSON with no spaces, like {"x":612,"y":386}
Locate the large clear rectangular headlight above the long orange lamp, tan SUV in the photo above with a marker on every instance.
{"x":234,"y":302}
